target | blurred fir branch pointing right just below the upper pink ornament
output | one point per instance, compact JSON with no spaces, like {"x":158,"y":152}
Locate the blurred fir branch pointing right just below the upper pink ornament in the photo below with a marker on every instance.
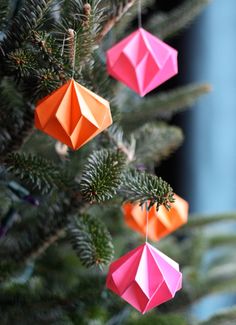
{"x":165,"y":104}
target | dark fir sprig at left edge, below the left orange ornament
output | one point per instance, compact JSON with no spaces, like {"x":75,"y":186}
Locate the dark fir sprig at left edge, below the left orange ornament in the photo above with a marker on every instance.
{"x":38,"y":171}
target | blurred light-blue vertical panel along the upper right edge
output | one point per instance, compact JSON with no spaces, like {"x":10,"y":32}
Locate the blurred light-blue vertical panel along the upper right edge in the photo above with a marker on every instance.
{"x":209,"y":173}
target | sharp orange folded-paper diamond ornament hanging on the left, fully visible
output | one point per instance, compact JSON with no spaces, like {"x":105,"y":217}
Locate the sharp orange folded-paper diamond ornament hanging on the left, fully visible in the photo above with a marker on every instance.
{"x":73,"y":115}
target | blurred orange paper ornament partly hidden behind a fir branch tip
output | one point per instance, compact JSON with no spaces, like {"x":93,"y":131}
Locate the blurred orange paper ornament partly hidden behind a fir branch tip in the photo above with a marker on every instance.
{"x":161,"y":222}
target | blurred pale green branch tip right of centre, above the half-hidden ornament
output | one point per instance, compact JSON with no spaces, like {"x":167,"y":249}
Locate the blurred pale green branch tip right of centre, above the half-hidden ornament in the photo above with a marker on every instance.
{"x":155,"y":142}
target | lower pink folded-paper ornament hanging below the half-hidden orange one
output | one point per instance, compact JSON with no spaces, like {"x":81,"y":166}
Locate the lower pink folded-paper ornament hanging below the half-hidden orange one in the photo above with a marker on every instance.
{"x":144,"y":277}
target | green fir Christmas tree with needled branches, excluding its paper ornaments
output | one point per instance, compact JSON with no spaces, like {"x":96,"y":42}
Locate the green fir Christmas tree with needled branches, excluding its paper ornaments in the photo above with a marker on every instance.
{"x":61,"y":216}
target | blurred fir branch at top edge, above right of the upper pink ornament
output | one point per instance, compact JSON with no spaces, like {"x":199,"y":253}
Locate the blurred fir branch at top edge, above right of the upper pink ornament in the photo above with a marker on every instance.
{"x":167,"y":25}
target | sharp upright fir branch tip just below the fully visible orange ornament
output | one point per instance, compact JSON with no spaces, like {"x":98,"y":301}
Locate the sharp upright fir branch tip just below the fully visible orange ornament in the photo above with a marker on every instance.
{"x":102,"y":175}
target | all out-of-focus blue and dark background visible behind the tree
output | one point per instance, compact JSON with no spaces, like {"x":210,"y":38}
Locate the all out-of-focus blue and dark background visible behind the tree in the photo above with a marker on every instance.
{"x":204,"y":169}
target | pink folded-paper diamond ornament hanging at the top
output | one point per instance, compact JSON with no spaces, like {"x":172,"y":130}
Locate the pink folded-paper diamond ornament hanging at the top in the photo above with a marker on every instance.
{"x":142,"y":61}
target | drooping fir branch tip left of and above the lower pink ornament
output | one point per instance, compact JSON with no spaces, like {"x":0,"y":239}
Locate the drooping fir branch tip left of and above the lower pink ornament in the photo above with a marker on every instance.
{"x":91,"y":240}
